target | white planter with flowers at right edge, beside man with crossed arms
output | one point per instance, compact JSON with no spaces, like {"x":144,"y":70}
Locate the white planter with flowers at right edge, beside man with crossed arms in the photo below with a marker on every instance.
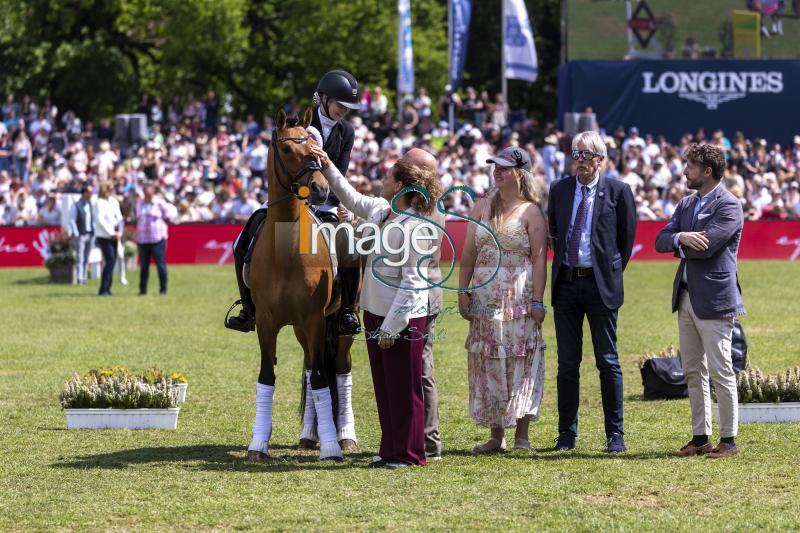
{"x":770,"y":398}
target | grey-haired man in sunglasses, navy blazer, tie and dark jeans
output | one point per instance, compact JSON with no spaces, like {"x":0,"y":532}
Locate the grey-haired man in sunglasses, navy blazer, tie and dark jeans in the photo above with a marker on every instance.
{"x":592,"y":225}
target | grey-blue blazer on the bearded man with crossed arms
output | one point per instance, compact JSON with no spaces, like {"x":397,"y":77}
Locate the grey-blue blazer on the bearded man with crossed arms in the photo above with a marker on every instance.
{"x":711,"y":275}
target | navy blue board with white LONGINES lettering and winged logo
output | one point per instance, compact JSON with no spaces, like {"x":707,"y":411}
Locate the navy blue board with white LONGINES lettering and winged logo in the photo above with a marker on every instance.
{"x":758,"y":98}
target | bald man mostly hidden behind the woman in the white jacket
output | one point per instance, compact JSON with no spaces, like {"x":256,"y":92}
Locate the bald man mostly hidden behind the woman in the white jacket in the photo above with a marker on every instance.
{"x":433,"y":441}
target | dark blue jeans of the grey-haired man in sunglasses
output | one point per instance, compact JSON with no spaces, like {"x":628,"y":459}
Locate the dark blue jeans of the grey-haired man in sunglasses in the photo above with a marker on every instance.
{"x":572,"y":300}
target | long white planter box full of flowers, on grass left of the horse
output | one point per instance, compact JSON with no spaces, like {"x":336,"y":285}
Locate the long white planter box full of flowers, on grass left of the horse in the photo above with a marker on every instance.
{"x":117,"y":399}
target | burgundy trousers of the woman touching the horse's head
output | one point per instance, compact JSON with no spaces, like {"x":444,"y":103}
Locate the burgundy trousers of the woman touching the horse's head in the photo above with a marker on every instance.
{"x":397,"y":379}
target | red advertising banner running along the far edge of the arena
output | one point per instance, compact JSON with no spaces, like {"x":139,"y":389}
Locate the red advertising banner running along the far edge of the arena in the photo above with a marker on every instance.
{"x":212,"y":243}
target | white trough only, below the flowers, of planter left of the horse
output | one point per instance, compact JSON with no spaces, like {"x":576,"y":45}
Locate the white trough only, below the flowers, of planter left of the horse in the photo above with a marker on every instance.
{"x":122,"y":418}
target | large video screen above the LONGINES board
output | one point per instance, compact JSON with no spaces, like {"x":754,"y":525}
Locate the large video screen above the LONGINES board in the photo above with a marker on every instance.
{"x":690,"y":29}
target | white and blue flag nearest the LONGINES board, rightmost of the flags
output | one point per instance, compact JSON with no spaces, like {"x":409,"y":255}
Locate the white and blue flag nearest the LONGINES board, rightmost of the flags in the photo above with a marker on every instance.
{"x":519,"y":47}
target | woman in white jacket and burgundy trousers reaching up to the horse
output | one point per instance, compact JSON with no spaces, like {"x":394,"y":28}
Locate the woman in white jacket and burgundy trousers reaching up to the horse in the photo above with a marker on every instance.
{"x":394,"y":297}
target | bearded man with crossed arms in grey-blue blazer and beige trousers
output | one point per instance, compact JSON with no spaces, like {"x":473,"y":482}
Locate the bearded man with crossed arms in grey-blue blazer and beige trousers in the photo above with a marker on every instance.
{"x":704,"y":233}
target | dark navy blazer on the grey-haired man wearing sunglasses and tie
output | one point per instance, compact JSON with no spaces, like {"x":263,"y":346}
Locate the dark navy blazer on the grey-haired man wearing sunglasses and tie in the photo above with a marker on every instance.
{"x":613,"y":231}
